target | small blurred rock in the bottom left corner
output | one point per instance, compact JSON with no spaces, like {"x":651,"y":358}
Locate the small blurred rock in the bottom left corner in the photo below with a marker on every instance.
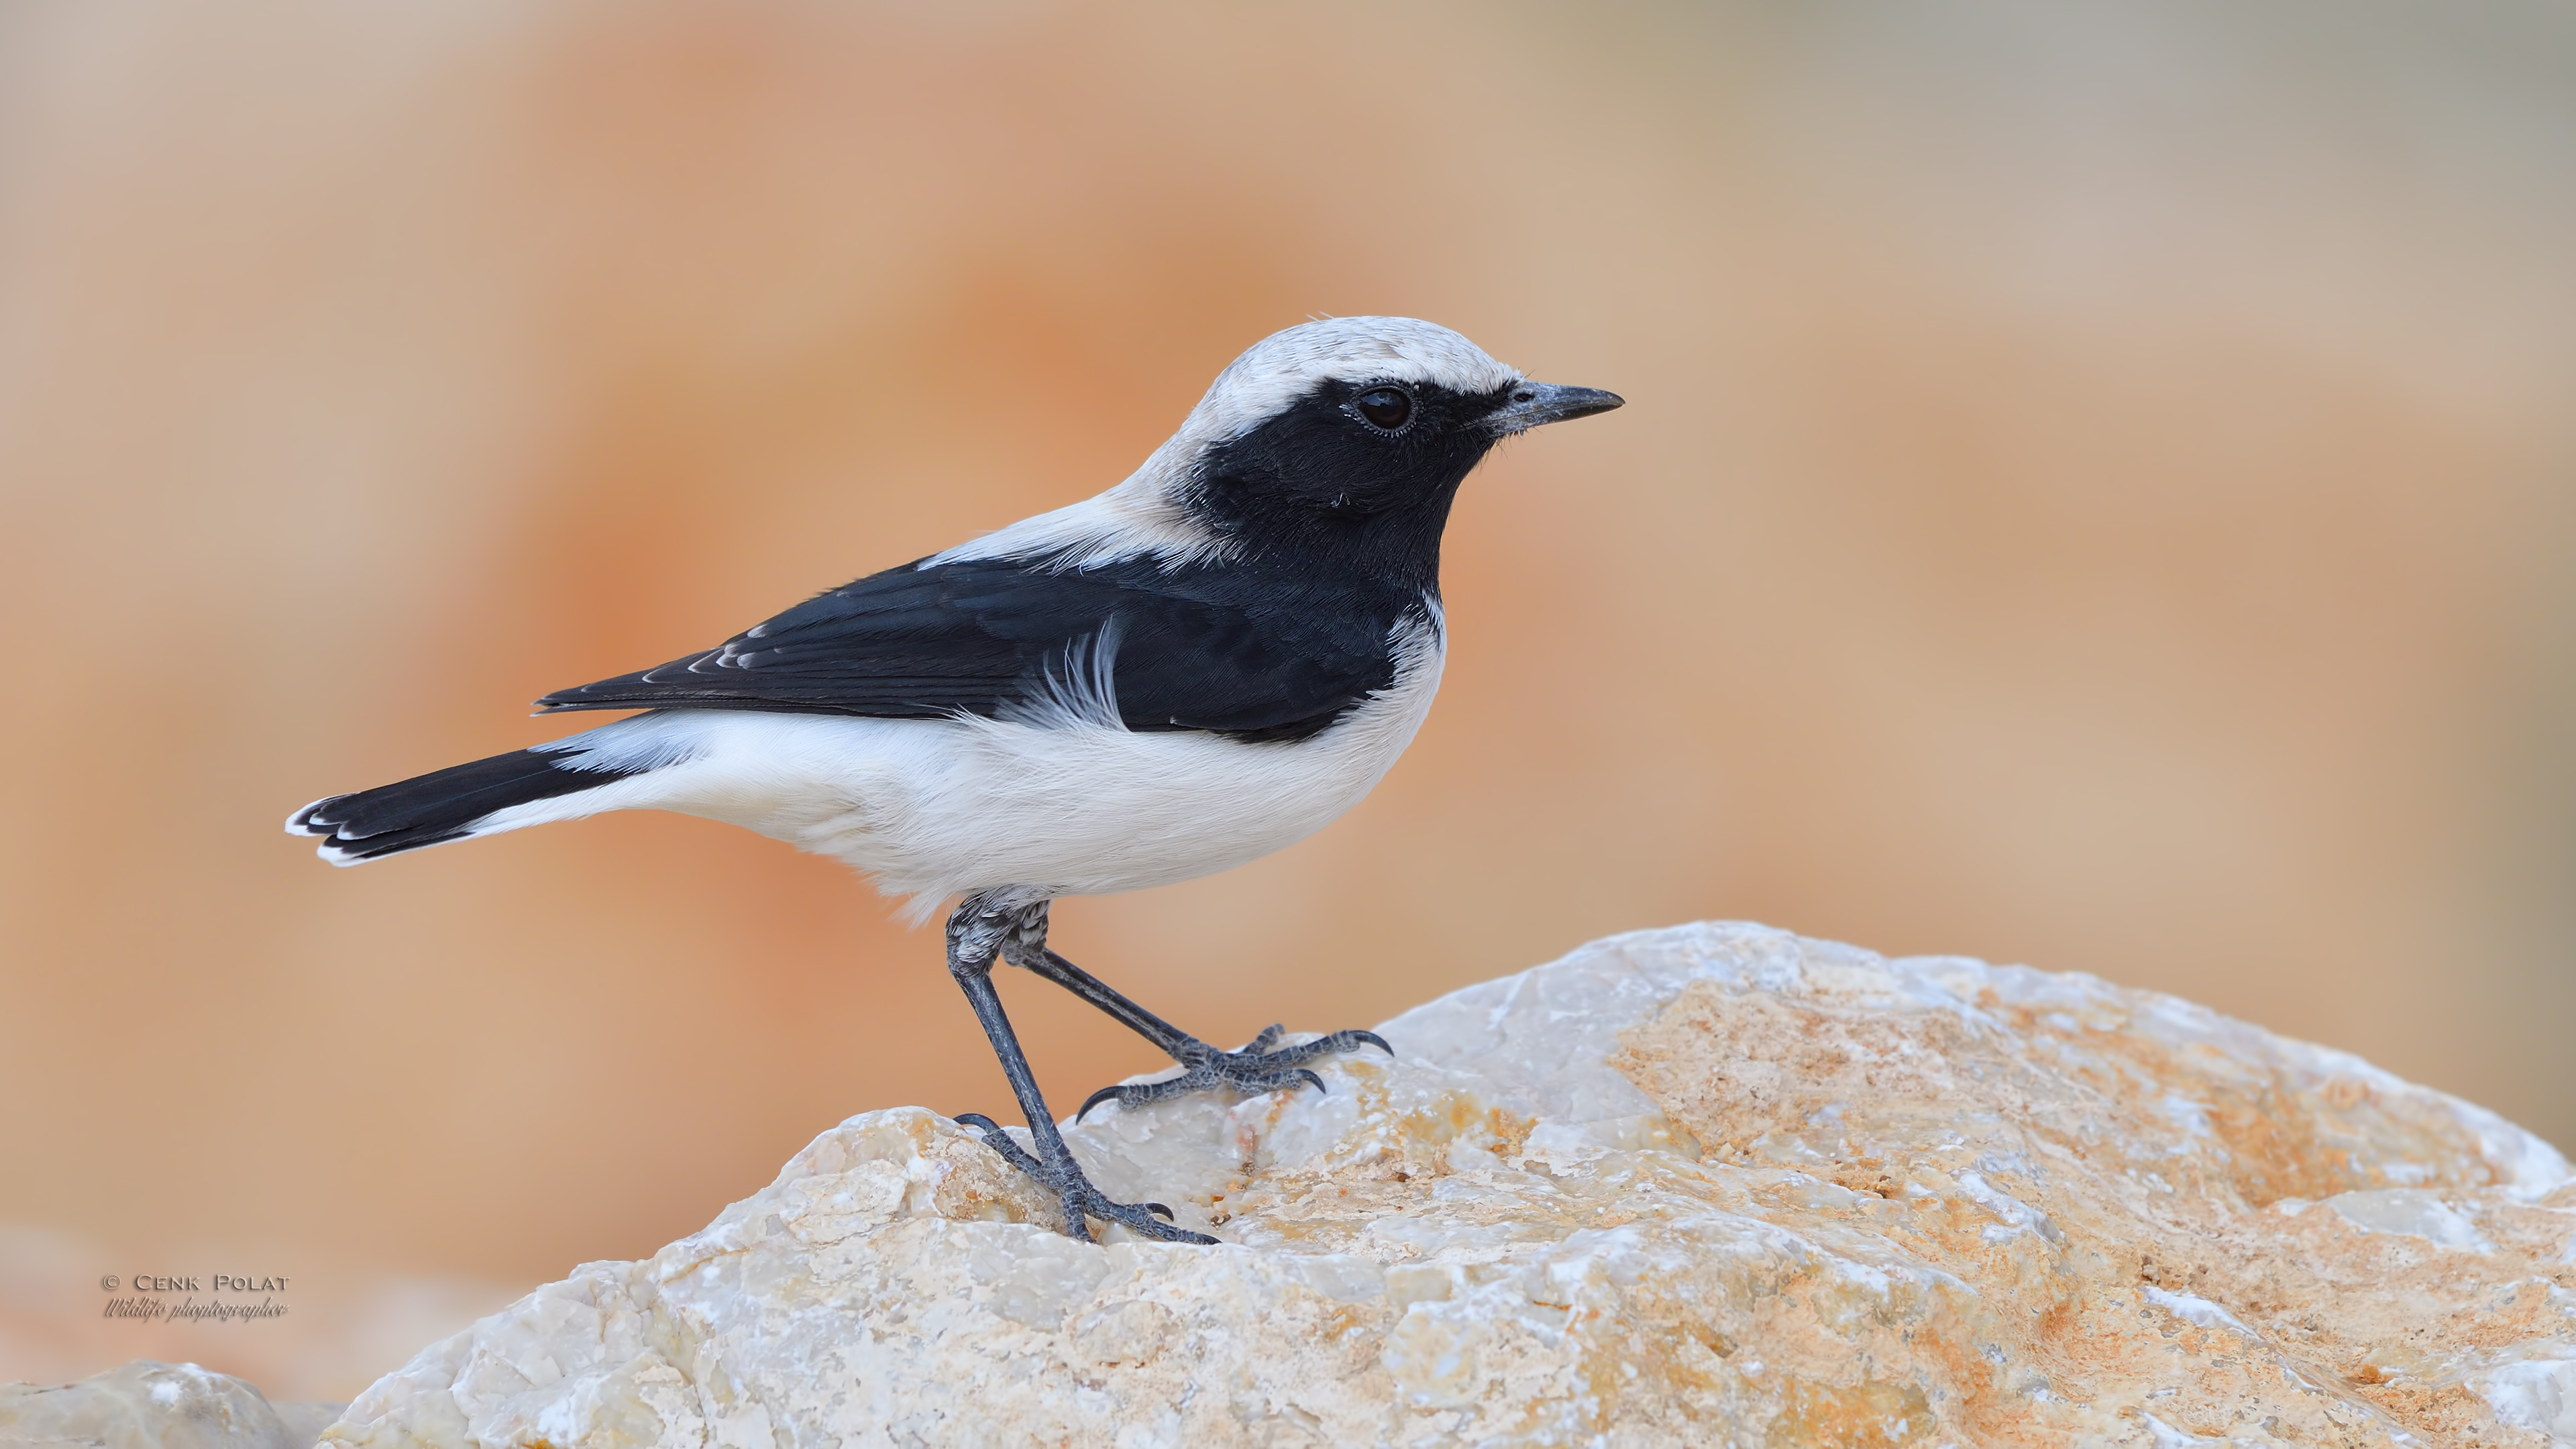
{"x":158,"y":1406}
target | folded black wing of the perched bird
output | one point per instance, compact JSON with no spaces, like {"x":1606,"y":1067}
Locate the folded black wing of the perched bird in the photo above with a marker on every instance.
{"x":1220,"y":648}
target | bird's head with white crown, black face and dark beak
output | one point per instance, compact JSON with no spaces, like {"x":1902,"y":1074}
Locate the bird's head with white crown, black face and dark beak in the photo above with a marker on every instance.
{"x":1351,"y":429}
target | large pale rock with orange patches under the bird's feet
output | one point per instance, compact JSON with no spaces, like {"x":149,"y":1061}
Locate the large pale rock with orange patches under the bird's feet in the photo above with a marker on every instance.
{"x":1689,"y":1187}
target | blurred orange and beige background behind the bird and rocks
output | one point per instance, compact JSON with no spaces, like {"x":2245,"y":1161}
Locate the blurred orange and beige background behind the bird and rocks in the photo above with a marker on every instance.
{"x":2096,"y":491}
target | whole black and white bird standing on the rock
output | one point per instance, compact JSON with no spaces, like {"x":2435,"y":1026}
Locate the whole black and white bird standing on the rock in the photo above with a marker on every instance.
{"x":1171,"y":679}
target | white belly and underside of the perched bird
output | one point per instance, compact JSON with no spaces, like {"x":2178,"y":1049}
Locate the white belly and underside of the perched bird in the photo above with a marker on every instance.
{"x":936,"y":808}
